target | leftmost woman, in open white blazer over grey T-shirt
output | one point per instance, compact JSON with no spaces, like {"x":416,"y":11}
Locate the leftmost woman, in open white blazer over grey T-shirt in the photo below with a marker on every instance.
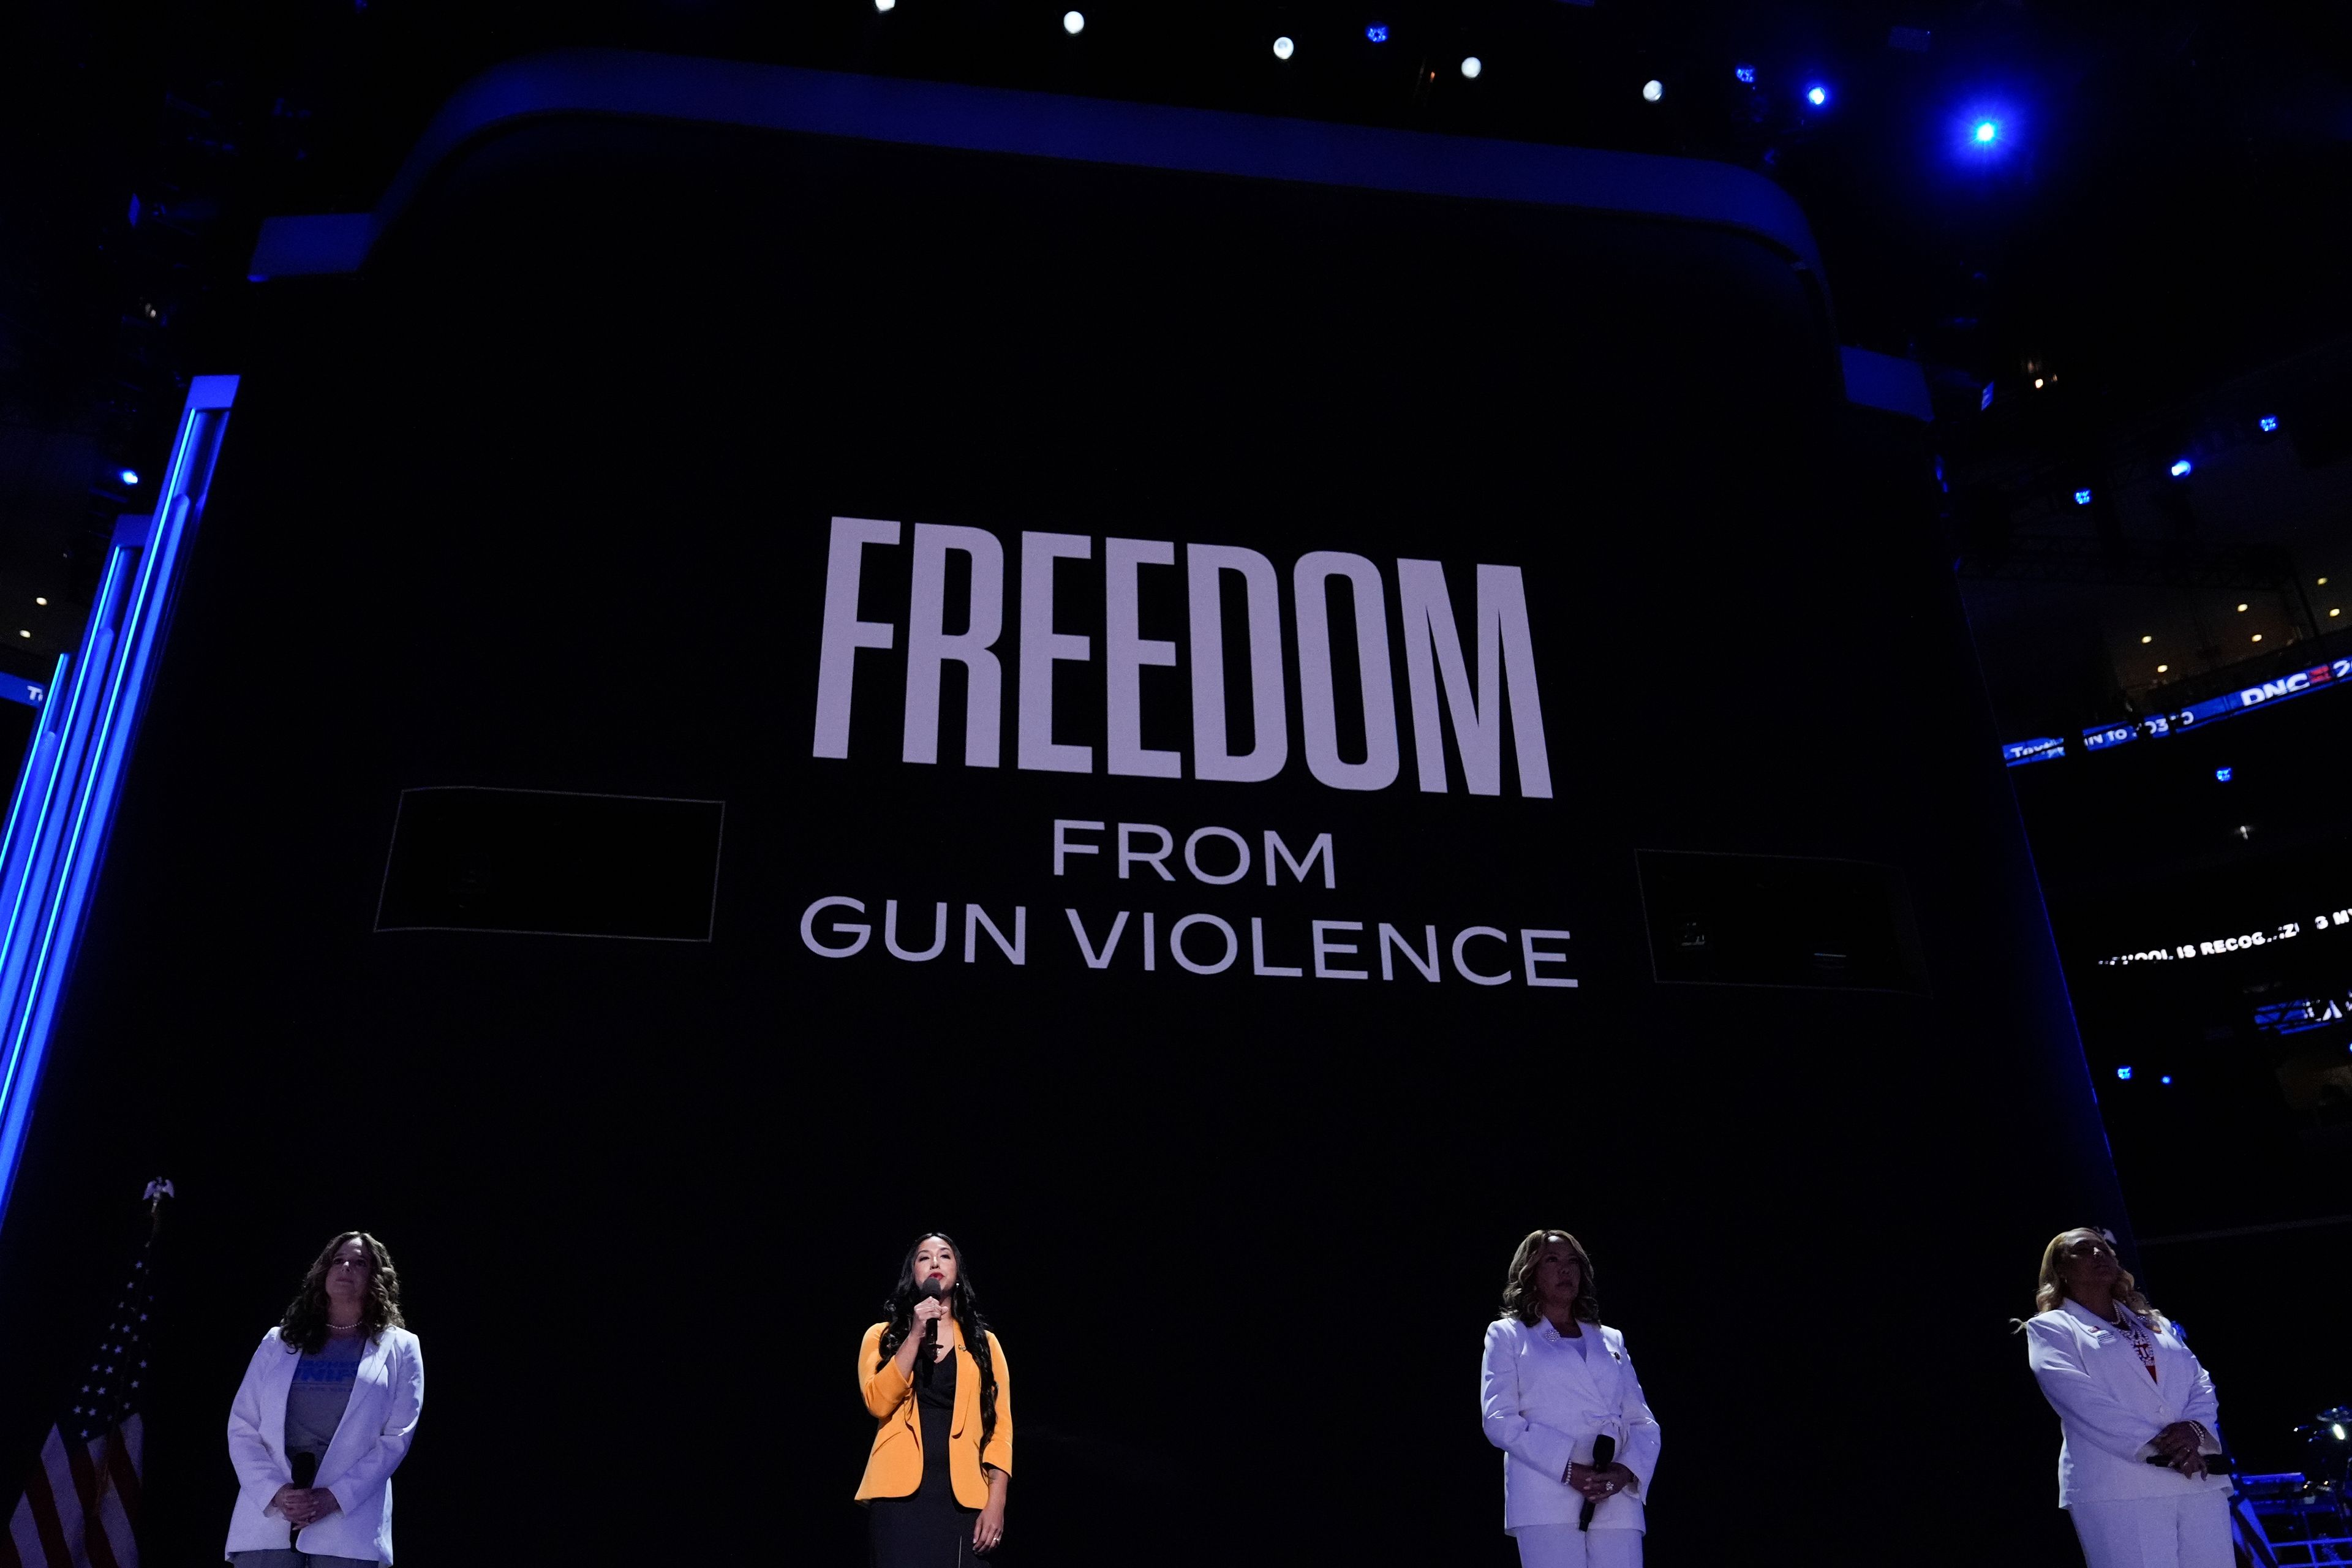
{"x":323,"y":1419}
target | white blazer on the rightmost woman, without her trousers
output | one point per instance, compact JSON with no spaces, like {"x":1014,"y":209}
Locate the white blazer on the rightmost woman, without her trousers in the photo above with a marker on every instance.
{"x":2111,"y":1412}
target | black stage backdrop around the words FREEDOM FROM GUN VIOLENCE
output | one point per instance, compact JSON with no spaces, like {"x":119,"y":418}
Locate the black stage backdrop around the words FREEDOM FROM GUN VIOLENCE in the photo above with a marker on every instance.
{"x":603,"y":389}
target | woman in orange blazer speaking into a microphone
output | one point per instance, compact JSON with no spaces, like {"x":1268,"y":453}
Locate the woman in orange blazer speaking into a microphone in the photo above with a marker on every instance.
{"x":944,"y":1419}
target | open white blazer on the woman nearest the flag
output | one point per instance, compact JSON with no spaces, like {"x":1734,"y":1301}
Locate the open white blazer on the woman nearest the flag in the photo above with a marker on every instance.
{"x":359,"y":1466}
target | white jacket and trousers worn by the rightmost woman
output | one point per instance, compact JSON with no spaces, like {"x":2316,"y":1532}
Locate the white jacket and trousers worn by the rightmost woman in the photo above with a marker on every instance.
{"x":2130,"y":1513}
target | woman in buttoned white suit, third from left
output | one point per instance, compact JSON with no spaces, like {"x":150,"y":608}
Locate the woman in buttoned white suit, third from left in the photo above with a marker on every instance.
{"x":1551,"y":1386}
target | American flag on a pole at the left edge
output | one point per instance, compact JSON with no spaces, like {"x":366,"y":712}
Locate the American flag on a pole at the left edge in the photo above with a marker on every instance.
{"x":81,"y":1503}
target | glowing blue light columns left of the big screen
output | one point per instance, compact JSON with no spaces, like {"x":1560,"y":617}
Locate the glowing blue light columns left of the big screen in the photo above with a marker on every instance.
{"x":65,"y":800}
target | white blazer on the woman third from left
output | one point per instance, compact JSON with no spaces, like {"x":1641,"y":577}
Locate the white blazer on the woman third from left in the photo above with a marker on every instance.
{"x":1544,"y":1405}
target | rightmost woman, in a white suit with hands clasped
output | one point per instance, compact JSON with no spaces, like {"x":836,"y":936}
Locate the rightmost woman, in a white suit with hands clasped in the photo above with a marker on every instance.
{"x":2137,"y":1409}
